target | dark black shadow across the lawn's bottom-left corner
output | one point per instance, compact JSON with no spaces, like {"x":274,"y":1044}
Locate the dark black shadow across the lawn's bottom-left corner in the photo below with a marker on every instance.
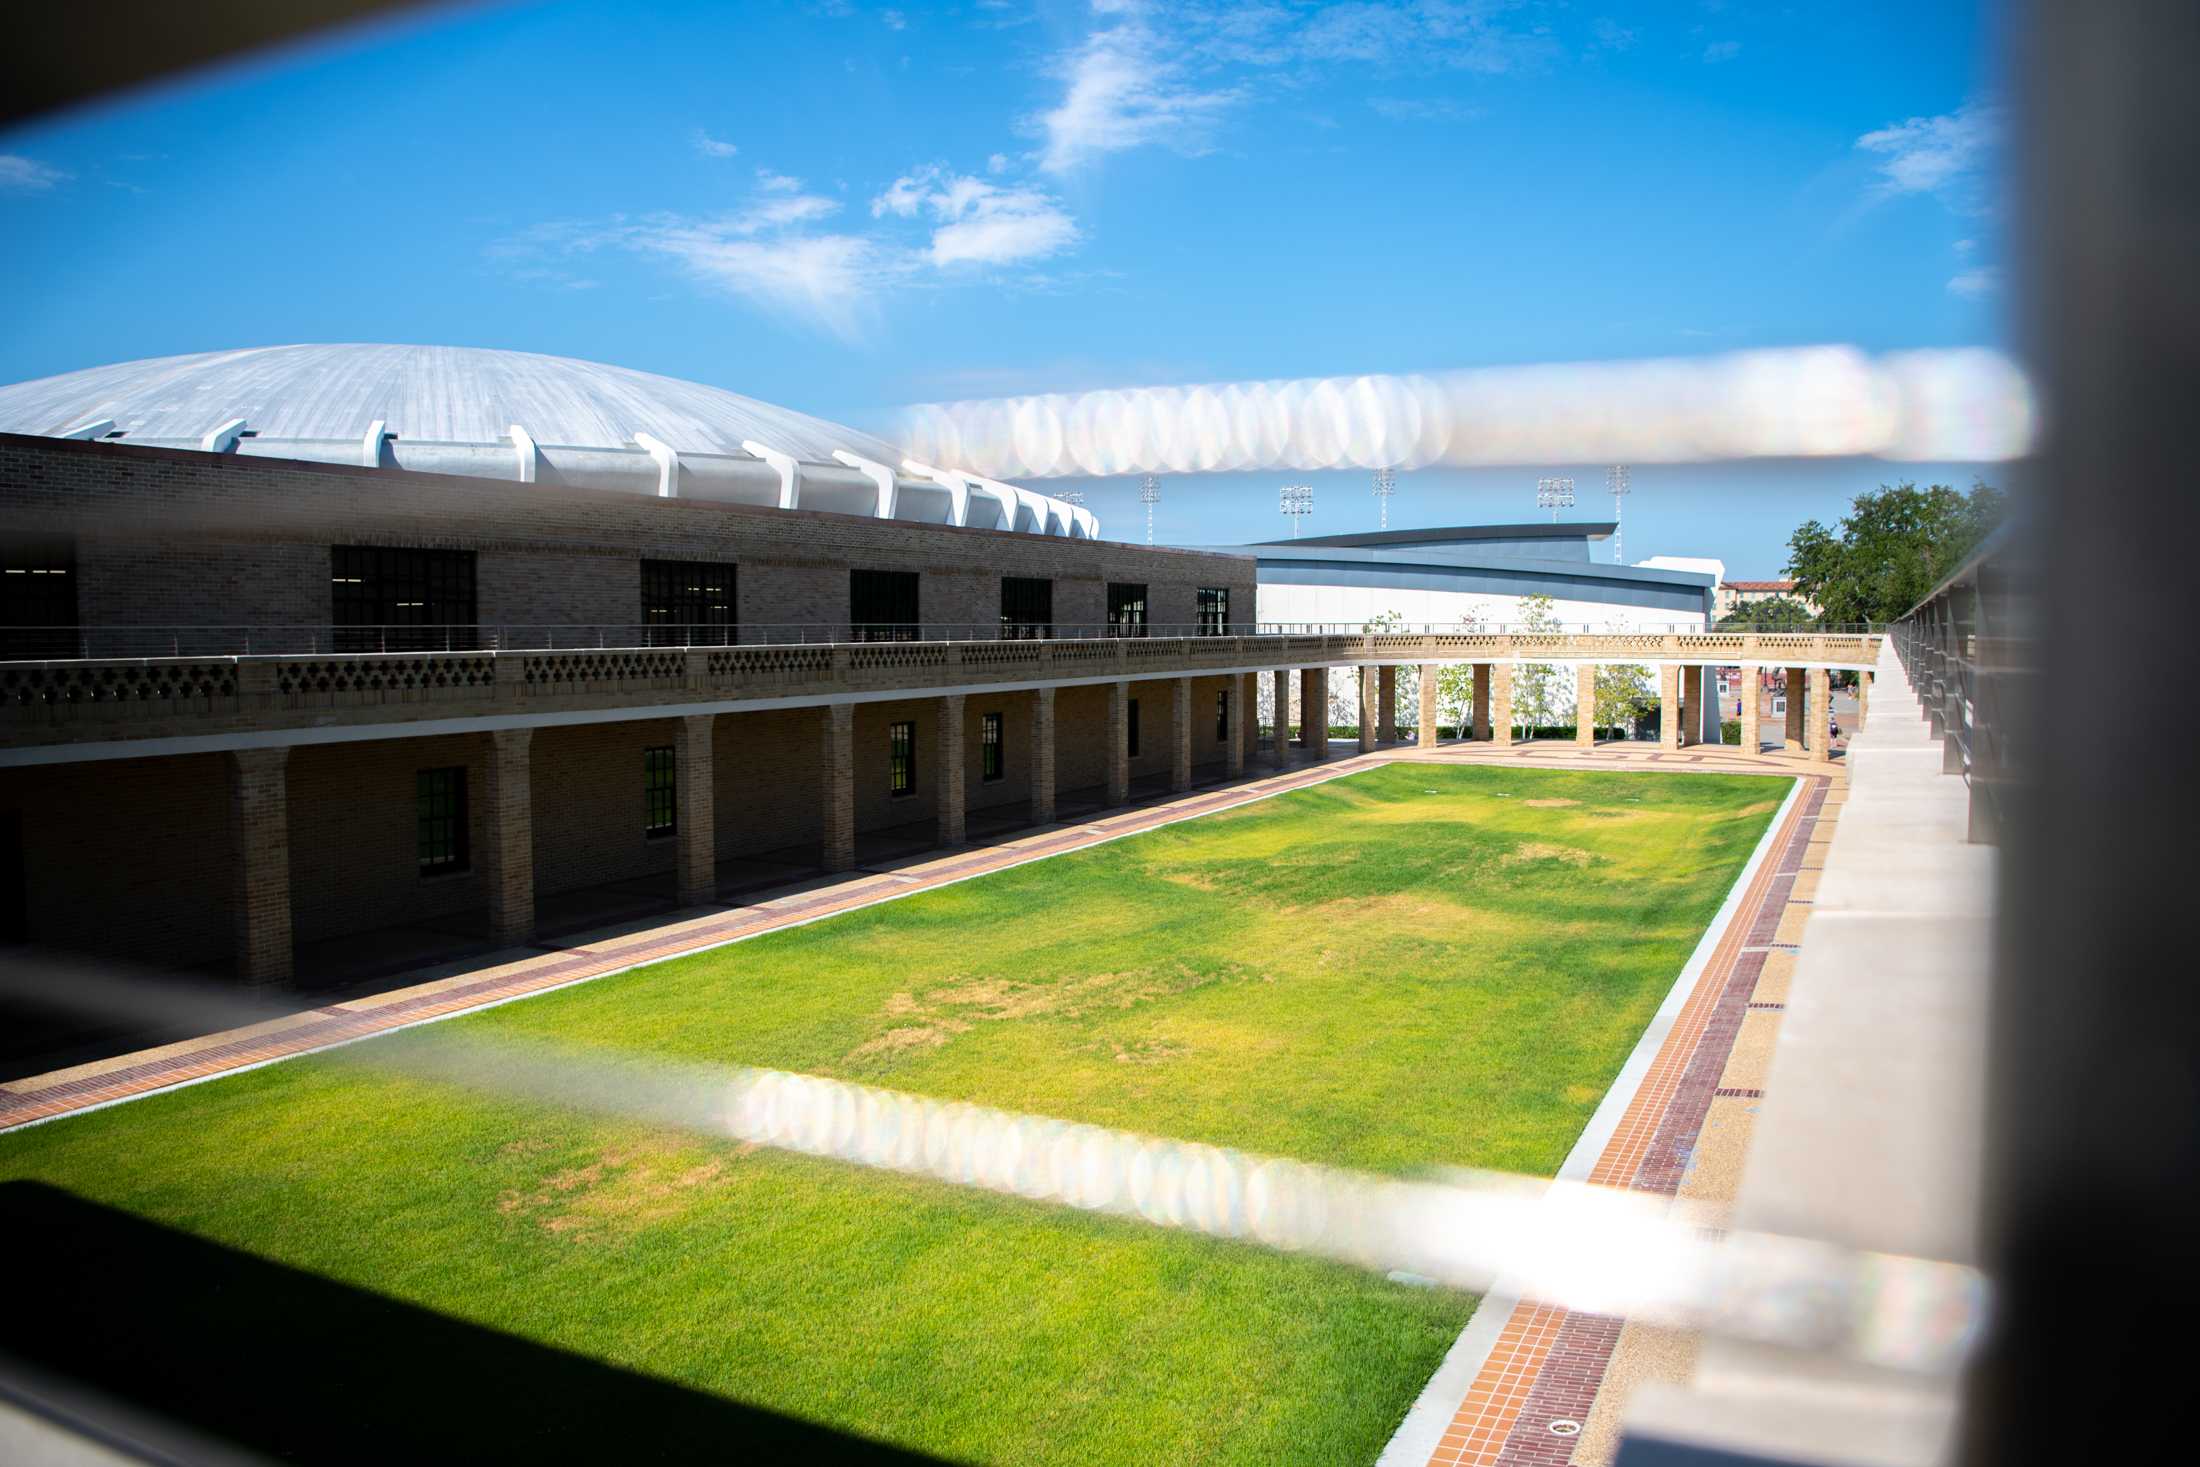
{"x":287,"y":1365}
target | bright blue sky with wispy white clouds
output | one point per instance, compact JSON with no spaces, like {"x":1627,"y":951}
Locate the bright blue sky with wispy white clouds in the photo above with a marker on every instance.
{"x":848,"y":208}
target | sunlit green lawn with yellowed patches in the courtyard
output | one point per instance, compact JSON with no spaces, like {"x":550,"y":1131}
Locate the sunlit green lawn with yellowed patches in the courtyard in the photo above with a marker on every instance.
{"x":1407,"y":969}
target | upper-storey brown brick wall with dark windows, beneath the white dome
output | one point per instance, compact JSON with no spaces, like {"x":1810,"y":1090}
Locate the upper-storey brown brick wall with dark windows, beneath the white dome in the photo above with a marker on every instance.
{"x":170,"y":538}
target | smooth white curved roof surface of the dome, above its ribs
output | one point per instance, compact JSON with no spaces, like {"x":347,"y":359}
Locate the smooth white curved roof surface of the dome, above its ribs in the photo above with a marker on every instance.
{"x":437,"y":393}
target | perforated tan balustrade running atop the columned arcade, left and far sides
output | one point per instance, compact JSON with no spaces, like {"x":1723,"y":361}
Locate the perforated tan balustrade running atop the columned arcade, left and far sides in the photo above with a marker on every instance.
{"x":78,"y":701}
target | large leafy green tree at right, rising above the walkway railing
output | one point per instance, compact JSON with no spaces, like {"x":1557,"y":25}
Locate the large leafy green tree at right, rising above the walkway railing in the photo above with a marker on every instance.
{"x":1891,"y":549}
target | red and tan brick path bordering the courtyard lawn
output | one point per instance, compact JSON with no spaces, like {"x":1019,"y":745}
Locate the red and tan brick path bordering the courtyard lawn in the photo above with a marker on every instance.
{"x":1548,"y":1363}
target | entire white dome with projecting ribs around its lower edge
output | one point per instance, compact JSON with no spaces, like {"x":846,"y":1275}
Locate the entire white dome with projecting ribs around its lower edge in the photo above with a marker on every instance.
{"x":516,"y":417}
